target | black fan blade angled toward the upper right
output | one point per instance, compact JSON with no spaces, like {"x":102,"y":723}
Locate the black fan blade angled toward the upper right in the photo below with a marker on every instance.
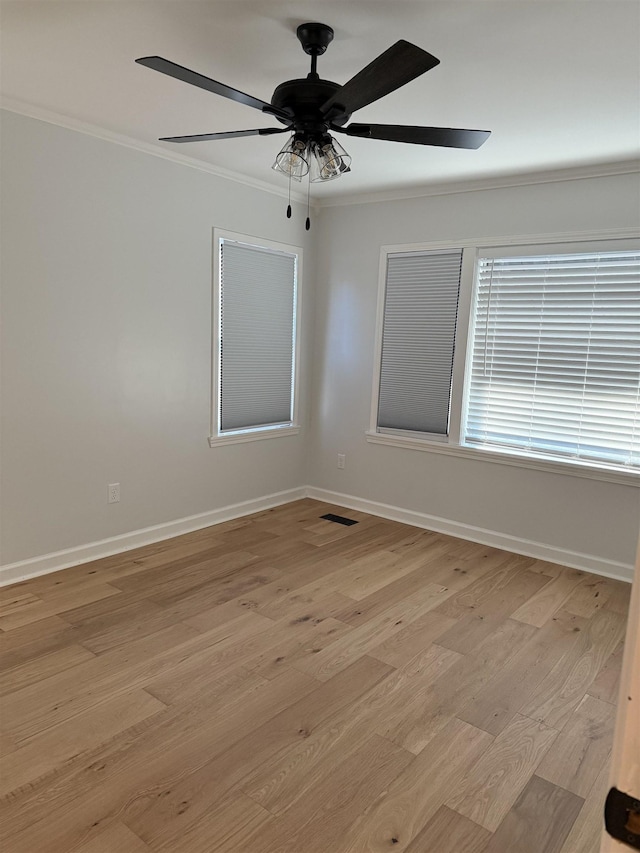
{"x":398,"y":65}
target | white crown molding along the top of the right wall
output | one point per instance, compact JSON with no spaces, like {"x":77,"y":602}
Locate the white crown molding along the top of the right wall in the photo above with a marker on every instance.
{"x":574,"y":173}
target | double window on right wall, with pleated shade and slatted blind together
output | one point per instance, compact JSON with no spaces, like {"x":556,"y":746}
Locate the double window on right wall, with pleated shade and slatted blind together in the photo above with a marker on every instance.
{"x":525,"y":355}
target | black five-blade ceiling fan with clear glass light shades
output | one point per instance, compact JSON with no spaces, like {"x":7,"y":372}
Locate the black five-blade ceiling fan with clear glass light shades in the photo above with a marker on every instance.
{"x":311,"y":107}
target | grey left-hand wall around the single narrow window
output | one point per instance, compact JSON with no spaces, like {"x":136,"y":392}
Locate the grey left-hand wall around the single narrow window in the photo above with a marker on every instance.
{"x":106,"y":298}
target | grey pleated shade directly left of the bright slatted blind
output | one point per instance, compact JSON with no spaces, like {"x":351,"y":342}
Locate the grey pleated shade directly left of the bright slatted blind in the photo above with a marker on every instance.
{"x":421,"y":301}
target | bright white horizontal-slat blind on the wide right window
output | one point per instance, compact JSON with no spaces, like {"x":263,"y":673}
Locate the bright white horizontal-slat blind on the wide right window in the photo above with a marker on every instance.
{"x":556,"y":356}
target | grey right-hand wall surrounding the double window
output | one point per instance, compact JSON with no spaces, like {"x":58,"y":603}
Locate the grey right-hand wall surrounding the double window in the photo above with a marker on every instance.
{"x":573,"y":514}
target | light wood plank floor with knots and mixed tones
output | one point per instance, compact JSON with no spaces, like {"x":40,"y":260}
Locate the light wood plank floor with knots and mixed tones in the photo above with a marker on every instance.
{"x":285,"y":684}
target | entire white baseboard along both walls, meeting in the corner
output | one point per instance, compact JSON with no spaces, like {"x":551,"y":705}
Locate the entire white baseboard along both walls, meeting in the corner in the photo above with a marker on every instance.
{"x":25,"y":569}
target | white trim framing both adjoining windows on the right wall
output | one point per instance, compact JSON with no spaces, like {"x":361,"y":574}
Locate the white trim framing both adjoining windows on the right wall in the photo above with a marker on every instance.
{"x":472,"y":250}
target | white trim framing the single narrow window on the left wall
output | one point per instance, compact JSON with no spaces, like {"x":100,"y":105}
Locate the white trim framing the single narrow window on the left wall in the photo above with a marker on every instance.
{"x":216,"y":437}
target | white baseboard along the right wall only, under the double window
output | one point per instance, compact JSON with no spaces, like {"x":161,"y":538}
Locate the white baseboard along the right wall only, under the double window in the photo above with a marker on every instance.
{"x":537,"y":550}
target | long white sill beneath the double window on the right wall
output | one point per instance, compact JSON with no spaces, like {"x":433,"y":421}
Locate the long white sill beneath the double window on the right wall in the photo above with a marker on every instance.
{"x":568,"y":468}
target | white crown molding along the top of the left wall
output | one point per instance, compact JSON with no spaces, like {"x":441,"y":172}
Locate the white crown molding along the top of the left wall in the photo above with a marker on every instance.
{"x":35,"y":112}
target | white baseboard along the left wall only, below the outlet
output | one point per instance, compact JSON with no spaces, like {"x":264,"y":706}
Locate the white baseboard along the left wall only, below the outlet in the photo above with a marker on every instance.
{"x":25,"y":569}
